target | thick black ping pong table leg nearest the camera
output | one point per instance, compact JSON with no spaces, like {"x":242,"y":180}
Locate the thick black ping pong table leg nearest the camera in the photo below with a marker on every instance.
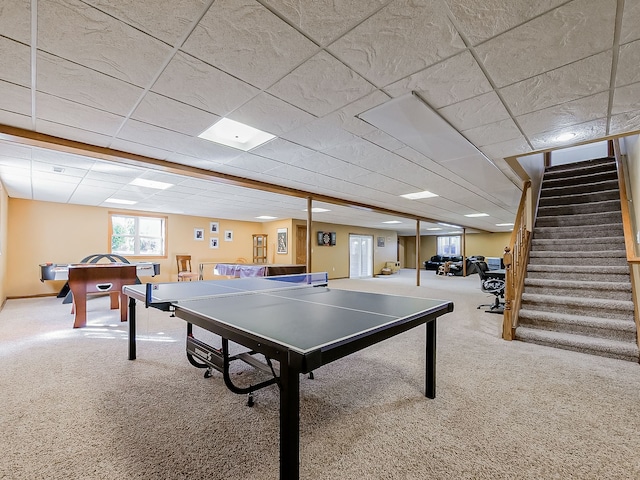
{"x":289,"y":422}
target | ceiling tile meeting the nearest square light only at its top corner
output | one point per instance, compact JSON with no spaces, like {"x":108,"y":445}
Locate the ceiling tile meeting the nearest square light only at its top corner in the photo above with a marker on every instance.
{"x":196,"y":83}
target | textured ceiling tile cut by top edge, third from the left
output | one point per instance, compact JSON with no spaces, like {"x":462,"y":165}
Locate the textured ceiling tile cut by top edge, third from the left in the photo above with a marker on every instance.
{"x":168,"y":21}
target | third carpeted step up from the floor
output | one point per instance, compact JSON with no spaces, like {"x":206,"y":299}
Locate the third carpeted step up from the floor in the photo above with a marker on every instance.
{"x":597,"y":307}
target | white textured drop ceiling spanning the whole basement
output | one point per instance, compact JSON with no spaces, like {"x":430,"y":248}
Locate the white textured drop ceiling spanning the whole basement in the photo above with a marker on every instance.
{"x":145,"y":78}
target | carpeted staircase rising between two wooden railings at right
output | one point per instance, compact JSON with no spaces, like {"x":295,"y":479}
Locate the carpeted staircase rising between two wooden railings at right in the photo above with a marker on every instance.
{"x":577,"y":293}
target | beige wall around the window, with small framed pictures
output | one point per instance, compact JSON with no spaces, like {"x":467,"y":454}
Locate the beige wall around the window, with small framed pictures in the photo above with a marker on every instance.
{"x":41,"y":232}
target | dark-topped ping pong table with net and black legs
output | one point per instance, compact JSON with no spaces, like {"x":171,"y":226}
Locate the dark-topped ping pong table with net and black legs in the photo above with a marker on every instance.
{"x":294,"y":320}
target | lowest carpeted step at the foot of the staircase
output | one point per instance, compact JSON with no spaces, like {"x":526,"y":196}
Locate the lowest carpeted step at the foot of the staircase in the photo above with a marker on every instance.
{"x":579,"y":343}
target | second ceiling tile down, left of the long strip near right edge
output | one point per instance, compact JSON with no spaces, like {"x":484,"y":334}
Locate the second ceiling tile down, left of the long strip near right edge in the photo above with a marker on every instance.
{"x":580,"y":79}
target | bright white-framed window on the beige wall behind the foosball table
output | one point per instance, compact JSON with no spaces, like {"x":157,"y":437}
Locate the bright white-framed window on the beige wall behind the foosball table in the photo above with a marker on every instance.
{"x":137,"y":235}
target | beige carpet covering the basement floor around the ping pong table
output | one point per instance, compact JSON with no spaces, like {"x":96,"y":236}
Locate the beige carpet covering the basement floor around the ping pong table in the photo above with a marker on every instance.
{"x":73,"y":407}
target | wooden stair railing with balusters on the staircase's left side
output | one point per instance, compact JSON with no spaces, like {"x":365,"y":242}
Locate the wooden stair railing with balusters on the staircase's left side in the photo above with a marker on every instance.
{"x":515,"y":259}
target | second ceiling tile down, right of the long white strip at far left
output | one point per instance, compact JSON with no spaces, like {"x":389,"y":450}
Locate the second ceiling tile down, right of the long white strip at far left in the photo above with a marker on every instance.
{"x":64,"y":79}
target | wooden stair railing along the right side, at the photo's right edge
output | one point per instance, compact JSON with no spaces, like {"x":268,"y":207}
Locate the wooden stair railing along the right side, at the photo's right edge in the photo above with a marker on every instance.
{"x":628,"y":228}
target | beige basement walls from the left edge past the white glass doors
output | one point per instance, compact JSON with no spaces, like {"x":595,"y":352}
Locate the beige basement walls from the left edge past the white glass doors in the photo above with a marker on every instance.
{"x":40,"y":232}
